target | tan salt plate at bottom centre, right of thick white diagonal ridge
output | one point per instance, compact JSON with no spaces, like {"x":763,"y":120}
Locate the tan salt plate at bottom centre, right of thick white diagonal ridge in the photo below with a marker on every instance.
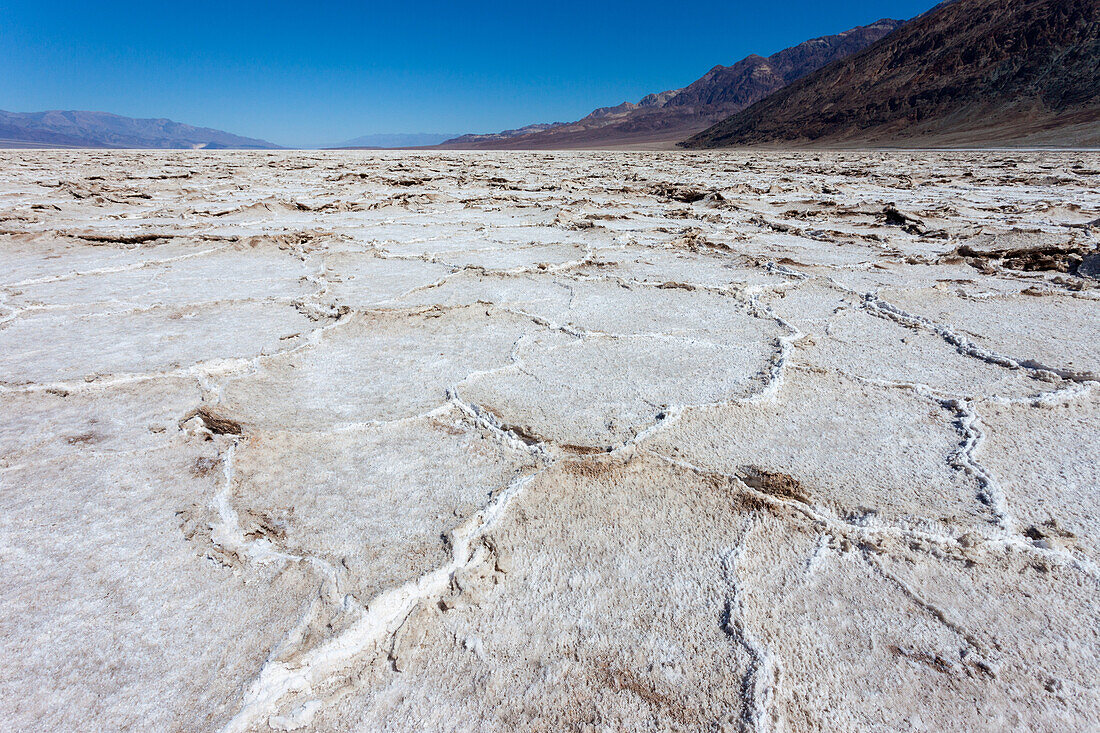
{"x":614,"y":557}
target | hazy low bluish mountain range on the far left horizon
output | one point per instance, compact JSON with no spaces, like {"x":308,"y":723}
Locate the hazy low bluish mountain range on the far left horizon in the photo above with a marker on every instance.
{"x":76,"y":129}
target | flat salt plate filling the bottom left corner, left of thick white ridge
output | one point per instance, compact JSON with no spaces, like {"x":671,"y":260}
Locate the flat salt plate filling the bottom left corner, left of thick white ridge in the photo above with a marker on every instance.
{"x":108,"y":523}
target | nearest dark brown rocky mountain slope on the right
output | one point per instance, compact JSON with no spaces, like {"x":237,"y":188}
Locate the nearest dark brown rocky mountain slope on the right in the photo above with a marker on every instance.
{"x":967,"y":73}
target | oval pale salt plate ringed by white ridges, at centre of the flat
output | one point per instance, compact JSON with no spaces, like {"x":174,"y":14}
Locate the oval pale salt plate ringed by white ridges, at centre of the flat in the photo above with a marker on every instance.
{"x":601,"y":392}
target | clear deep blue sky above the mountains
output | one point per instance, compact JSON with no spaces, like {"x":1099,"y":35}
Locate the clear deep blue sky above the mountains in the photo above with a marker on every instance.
{"x":312,"y":73}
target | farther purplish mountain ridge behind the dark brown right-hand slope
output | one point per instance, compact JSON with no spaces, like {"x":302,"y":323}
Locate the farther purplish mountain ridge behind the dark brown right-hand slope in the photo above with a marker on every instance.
{"x":674,"y":115}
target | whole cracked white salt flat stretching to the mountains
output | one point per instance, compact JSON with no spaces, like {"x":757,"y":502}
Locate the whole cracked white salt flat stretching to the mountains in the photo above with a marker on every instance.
{"x":549,"y":442}
